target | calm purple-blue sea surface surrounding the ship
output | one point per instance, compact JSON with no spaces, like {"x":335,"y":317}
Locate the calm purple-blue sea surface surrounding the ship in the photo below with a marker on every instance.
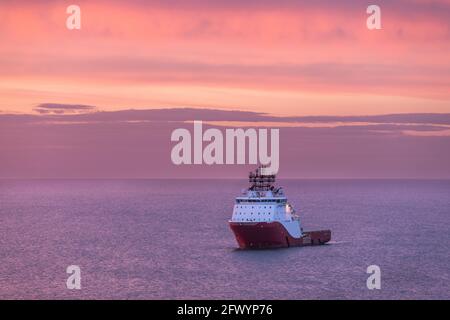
{"x":153,"y":239}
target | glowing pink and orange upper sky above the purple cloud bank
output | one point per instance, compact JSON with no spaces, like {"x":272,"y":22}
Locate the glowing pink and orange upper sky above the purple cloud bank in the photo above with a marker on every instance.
{"x":290,"y":57}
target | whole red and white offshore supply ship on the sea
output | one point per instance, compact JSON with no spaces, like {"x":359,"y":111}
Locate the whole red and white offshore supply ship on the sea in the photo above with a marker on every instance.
{"x":263,"y":218}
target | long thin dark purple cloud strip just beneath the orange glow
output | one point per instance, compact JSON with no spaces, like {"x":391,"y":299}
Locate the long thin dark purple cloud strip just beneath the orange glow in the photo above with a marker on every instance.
{"x":55,"y":112}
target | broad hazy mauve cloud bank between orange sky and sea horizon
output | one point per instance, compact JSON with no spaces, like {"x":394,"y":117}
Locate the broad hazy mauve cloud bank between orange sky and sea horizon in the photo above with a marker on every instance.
{"x":136,"y":144}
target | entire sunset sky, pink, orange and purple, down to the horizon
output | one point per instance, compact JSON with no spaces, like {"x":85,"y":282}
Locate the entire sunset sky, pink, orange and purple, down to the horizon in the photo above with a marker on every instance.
{"x":311,"y":68}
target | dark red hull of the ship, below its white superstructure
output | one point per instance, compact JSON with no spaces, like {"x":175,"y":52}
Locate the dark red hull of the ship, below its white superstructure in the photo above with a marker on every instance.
{"x":263,"y":235}
